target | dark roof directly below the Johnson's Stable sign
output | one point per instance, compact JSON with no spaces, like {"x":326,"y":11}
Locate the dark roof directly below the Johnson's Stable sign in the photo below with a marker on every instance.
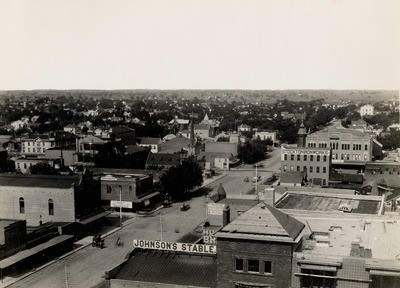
{"x":184,"y":269}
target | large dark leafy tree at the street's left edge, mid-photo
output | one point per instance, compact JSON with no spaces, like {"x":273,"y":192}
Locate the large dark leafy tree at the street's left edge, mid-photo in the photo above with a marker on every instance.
{"x":179,"y":180}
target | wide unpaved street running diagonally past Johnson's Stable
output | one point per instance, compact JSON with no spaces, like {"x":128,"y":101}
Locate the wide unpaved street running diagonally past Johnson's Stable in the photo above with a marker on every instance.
{"x":86,"y":266}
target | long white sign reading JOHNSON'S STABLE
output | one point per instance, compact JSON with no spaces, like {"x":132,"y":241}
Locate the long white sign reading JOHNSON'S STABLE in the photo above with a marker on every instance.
{"x":175,"y":246}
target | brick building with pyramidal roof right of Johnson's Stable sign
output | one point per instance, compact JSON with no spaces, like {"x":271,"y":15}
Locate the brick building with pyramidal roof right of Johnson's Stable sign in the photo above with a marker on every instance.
{"x":256,"y":249}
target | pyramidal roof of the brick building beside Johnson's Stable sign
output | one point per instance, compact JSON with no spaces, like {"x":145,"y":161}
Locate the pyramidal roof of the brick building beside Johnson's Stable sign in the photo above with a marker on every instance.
{"x":265,"y":223}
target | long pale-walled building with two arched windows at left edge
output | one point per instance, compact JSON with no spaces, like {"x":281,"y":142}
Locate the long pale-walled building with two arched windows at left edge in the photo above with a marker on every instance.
{"x":39,"y":199}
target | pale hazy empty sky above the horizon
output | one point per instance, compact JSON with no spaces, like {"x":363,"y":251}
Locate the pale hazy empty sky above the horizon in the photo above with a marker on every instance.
{"x":183,"y":44}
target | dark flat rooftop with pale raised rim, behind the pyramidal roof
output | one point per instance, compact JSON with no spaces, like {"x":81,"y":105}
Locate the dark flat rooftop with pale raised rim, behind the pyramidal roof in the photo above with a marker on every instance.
{"x":330,"y":202}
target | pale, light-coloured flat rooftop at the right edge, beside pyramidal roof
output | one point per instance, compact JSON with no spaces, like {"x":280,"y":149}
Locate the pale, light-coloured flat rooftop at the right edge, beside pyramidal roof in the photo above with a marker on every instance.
{"x":374,"y":237}
